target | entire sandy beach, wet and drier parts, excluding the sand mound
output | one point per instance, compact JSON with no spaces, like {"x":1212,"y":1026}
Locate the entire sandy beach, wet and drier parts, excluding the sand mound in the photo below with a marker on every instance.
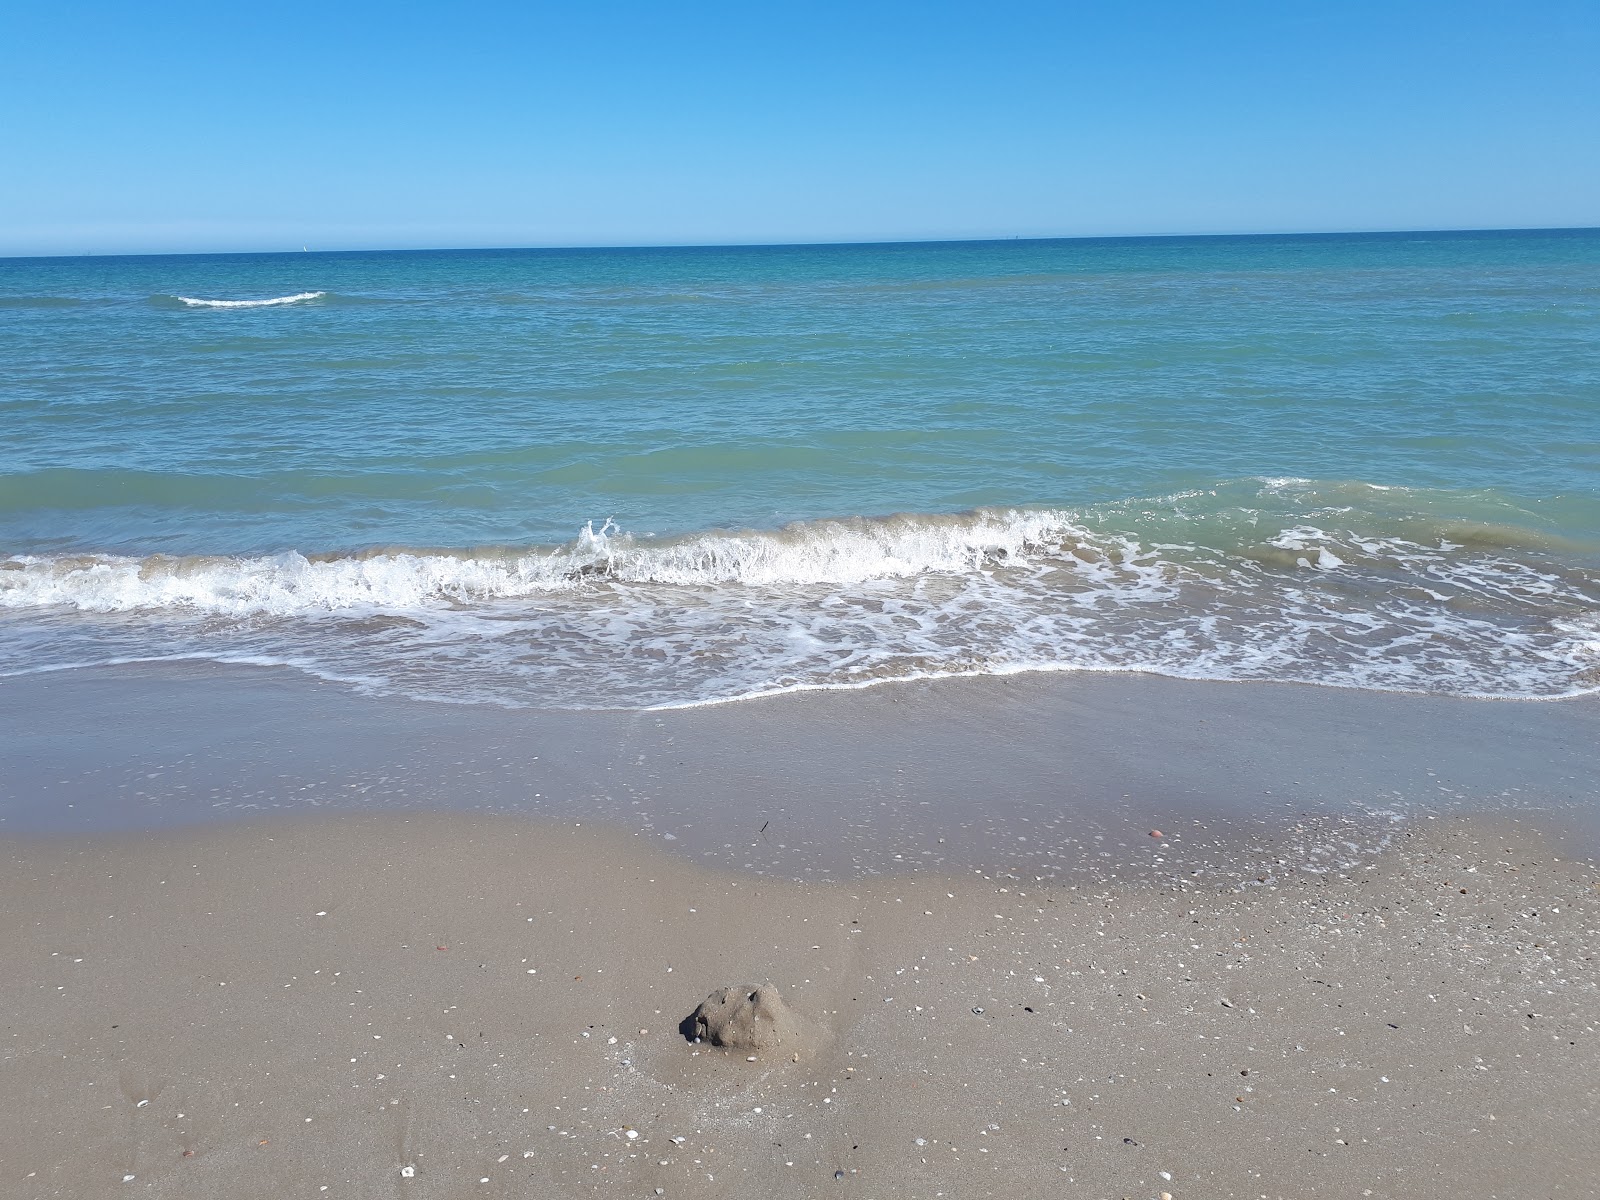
{"x":1380,"y":986}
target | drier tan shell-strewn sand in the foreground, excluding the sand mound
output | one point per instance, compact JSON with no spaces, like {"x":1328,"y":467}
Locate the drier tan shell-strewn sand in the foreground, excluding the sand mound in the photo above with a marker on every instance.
{"x":479,"y":1007}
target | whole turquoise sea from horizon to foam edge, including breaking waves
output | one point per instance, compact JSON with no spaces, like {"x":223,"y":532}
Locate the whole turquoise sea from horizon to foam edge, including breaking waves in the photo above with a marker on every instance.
{"x":639,"y":478}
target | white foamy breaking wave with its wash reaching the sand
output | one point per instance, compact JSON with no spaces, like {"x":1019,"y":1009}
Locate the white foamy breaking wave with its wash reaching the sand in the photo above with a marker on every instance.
{"x":618,"y":622}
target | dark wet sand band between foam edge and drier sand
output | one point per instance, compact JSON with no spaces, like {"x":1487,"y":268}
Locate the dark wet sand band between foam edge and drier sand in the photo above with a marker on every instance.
{"x":1041,"y":775}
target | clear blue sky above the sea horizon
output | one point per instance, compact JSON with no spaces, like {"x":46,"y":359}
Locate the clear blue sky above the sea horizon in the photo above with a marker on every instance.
{"x":343,"y":124}
